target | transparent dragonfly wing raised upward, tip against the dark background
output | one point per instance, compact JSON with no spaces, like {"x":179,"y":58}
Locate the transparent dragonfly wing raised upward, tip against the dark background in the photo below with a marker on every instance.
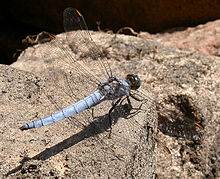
{"x":80,"y":39}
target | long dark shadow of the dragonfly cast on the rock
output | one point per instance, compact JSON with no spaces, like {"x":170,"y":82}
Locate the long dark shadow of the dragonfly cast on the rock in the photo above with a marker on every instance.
{"x":99,"y":125}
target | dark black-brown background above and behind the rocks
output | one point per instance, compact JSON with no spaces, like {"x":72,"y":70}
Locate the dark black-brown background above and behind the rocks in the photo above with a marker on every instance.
{"x":22,"y":18}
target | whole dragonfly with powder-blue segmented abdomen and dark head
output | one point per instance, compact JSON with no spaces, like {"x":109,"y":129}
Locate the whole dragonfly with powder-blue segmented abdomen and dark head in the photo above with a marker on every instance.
{"x":113,"y":88}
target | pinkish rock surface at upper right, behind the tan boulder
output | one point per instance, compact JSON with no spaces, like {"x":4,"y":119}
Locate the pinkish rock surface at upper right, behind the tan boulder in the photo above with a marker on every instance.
{"x":204,"y":38}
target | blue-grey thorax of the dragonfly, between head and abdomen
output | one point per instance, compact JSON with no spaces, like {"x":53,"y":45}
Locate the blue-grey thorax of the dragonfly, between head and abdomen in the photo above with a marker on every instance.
{"x":114,"y":88}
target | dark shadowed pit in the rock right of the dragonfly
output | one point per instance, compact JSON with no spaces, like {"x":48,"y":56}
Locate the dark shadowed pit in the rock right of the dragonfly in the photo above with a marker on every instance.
{"x":179,"y":120}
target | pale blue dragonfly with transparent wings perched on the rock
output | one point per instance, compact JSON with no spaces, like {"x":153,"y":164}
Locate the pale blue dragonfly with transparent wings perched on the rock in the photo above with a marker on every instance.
{"x":108,"y":87}
